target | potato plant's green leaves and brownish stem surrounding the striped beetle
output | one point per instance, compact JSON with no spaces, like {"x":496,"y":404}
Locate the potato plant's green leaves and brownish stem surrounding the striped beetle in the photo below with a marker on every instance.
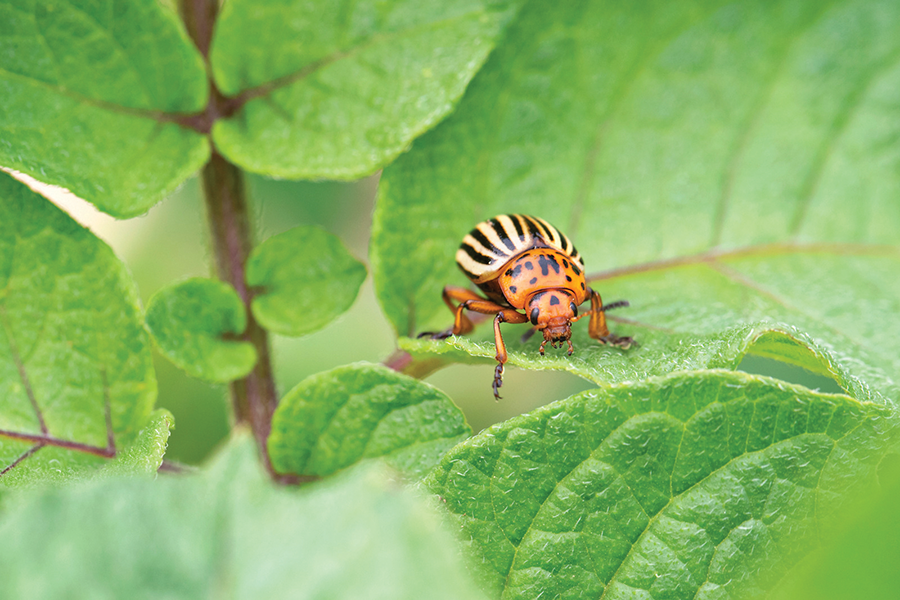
{"x":732,"y":169}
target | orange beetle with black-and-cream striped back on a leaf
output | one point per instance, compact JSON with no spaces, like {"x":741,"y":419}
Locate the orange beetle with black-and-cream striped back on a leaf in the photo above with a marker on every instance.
{"x":522,"y":262}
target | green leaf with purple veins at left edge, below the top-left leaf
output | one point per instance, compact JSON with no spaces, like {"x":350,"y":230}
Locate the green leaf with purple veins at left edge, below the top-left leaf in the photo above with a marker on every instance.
{"x":76,"y":375}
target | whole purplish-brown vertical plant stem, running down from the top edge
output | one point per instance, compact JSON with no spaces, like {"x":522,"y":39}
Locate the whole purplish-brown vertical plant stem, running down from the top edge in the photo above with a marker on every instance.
{"x":254,"y":398}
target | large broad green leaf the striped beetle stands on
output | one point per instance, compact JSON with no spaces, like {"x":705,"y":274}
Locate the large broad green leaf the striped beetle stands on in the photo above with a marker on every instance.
{"x":730,"y":169}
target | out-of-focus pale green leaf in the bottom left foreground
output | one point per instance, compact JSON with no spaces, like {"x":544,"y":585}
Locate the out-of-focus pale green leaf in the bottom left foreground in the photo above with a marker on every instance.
{"x":229,"y":532}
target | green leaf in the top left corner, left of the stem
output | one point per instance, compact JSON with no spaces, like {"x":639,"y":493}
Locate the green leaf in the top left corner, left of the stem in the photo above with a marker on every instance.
{"x":89,"y":92}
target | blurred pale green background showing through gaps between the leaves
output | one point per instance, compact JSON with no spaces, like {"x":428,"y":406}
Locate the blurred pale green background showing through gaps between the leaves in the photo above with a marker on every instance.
{"x":170,"y":243}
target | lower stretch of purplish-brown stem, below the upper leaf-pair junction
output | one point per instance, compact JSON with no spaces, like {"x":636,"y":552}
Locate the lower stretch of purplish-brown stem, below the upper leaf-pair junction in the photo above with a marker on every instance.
{"x":254,"y":398}
